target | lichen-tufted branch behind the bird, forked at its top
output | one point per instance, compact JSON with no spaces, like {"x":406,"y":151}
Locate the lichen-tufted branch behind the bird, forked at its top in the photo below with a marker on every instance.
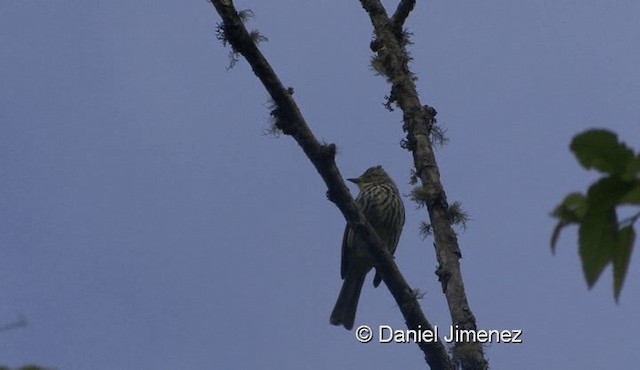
{"x":419,"y":121}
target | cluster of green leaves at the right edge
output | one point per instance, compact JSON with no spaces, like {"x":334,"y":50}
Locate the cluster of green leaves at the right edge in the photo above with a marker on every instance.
{"x":602,"y":238}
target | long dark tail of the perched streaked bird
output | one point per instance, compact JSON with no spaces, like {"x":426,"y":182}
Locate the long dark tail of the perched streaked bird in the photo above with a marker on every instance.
{"x":344,"y":312}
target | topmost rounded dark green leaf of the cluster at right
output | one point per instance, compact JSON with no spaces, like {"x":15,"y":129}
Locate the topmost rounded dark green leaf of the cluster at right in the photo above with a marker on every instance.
{"x":600,"y":149}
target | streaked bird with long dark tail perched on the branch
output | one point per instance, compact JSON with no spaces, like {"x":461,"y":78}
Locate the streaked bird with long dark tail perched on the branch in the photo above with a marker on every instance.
{"x":379,"y":200}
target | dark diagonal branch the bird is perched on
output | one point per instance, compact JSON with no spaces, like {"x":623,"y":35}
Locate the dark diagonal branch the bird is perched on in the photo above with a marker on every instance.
{"x":291,"y":122}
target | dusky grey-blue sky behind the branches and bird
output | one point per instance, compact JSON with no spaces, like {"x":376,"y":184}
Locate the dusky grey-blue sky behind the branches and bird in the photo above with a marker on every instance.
{"x":147,"y":221}
